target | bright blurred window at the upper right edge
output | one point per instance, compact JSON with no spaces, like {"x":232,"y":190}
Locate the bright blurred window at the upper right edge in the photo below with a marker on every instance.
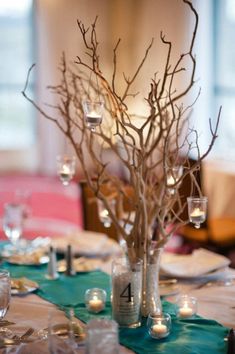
{"x":224,"y":75}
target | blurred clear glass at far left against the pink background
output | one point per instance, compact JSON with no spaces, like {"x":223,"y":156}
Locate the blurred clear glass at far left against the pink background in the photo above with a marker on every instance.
{"x":13,"y":217}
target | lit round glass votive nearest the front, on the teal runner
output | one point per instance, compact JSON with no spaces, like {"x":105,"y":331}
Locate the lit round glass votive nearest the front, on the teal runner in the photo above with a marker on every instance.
{"x":159,"y":325}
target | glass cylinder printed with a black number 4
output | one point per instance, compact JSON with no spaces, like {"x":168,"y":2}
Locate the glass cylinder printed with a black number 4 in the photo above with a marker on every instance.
{"x":126,"y":292}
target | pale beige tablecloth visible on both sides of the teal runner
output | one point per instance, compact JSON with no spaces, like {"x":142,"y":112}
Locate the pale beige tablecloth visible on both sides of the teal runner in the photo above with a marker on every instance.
{"x":215,"y":302}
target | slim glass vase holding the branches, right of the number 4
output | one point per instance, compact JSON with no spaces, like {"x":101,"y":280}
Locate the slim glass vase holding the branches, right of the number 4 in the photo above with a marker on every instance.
{"x":151,"y":301}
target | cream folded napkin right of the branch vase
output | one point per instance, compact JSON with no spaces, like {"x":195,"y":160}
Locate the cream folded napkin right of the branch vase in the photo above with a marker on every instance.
{"x":199,"y":263}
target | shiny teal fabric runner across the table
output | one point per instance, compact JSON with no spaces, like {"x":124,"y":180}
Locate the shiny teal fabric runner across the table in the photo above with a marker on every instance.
{"x":188,"y":336}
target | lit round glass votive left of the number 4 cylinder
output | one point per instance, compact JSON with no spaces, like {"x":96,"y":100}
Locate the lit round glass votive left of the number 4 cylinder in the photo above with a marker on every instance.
{"x":95,"y":299}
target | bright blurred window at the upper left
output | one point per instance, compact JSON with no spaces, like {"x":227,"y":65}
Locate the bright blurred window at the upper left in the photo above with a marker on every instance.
{"x":16,"y":114}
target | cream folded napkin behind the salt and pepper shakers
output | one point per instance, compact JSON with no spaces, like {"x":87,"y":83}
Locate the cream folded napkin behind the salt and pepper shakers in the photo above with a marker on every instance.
{"x":87,"y":243}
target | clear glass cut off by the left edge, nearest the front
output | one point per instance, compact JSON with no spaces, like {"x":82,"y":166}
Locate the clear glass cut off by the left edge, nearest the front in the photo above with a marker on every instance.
{"x":5,"y":296}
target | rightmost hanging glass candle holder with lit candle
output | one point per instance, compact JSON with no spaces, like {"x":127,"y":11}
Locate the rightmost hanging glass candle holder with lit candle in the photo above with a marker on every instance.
{"x":197,"y":208}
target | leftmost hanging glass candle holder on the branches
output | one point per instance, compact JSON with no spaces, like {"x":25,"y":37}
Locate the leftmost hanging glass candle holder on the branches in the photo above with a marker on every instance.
{"x":65,"y":168}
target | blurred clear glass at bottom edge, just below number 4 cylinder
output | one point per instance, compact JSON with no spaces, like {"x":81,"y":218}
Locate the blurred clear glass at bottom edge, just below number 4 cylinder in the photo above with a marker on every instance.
{"x":102,"y":337}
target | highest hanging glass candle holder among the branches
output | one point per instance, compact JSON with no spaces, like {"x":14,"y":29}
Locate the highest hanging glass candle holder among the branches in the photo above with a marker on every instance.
{"x":93,"y":113}
